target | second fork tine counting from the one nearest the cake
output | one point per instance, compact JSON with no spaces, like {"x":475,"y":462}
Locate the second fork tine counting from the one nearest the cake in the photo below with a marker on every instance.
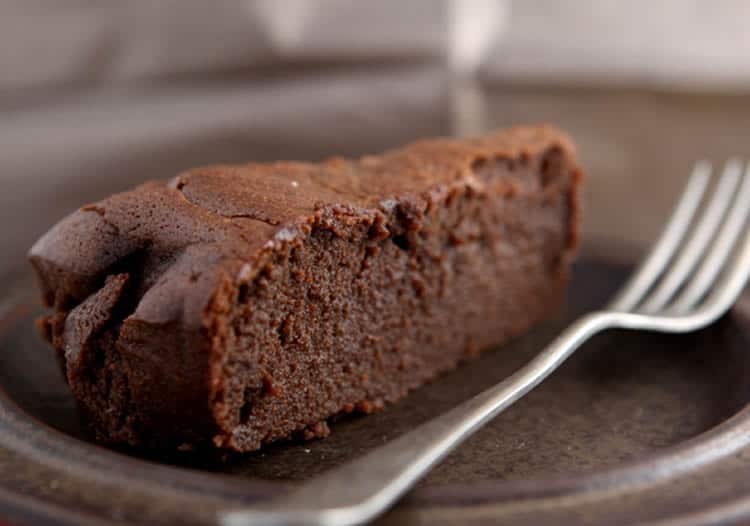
{"x":699,"y":240}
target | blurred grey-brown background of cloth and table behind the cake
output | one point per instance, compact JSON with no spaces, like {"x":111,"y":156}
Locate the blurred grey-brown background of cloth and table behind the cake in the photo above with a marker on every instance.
{"x":96,"y":96}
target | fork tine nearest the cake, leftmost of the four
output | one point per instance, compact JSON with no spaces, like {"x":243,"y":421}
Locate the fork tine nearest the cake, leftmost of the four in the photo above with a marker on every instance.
{"x":664,"y":248}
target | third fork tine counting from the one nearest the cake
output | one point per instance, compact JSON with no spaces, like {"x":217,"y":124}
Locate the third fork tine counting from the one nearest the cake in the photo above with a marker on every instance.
{"x":720,"y":252}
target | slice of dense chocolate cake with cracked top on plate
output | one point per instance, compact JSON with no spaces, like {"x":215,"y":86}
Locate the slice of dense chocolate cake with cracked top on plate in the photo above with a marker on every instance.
{"x":239,"y":305}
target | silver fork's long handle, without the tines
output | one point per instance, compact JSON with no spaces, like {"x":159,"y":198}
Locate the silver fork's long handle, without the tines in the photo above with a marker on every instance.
{"x":359,"y":491}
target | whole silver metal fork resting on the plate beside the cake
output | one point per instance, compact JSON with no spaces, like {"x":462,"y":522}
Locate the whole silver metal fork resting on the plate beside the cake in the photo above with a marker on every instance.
{"x":693,"y":274}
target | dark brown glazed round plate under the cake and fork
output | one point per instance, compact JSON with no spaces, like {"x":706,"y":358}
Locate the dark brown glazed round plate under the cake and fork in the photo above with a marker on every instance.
{"x":635,"y":428}
